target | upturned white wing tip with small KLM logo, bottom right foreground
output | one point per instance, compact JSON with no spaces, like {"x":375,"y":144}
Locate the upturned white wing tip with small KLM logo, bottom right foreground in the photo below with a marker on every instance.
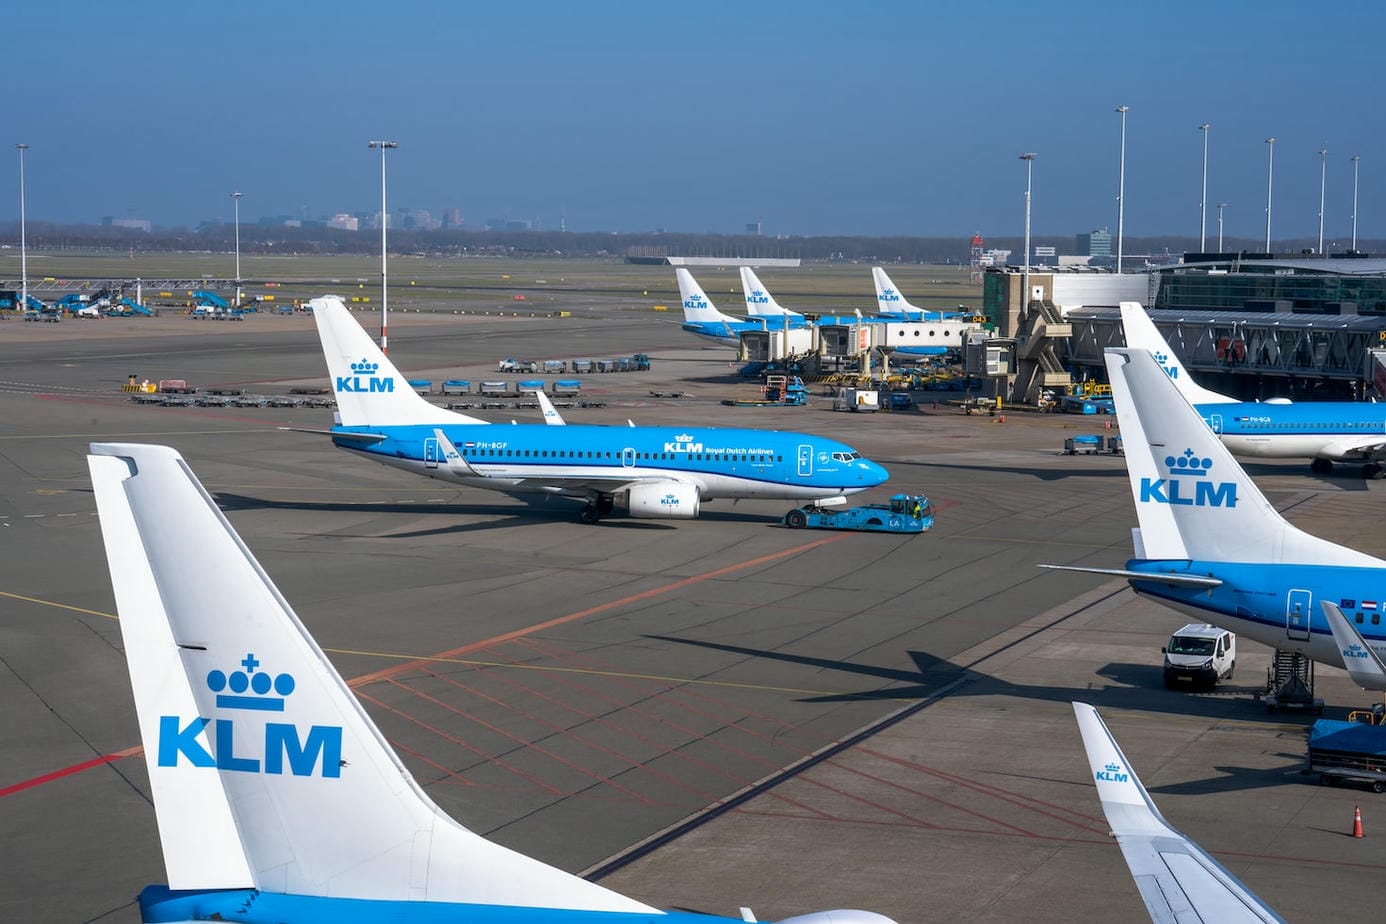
{"x":1177,"y":880}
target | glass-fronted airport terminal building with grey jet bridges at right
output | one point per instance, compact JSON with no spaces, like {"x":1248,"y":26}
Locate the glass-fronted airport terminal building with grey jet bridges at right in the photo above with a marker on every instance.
{"x":1255,"y":326}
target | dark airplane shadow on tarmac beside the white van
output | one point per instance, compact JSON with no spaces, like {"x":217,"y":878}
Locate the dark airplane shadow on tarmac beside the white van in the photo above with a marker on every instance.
{"x":1146,"y":696}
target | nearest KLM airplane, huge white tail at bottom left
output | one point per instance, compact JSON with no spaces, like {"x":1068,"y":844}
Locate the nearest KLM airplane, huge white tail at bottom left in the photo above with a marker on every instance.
{"x":277,"y":796}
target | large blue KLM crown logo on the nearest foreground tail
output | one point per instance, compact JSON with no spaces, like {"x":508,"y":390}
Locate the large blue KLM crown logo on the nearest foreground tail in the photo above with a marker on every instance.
{"x":285,"y":749}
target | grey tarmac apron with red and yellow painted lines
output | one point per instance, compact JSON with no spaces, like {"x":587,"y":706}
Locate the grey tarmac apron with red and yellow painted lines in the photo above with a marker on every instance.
{"x":706,"y":714}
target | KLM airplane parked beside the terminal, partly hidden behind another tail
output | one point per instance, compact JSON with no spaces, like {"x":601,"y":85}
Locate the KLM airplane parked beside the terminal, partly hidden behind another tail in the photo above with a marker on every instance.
{"x":1324,"y":432}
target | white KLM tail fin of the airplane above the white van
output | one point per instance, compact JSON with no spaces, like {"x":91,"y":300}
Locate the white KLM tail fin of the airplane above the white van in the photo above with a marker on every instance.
{"x":1193,"y":499}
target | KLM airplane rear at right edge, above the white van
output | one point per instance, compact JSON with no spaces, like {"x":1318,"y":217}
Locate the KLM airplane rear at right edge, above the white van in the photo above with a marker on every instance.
{"x":1209,"y":542}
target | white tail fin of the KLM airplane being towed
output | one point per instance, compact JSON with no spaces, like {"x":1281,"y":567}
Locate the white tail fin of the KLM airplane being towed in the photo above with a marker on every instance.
{"x":368,"y":387}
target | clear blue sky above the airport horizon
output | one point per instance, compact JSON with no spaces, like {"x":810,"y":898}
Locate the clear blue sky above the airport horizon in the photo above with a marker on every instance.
{"x":814,"y":118}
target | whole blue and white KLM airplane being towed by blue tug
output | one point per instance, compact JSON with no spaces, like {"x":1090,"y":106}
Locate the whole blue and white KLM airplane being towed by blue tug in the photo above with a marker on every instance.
{"x":663,"y":473}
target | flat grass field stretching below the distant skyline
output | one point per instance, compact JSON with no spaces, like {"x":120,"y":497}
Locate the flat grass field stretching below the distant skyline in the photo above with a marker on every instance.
{"x":491,"y":283}
